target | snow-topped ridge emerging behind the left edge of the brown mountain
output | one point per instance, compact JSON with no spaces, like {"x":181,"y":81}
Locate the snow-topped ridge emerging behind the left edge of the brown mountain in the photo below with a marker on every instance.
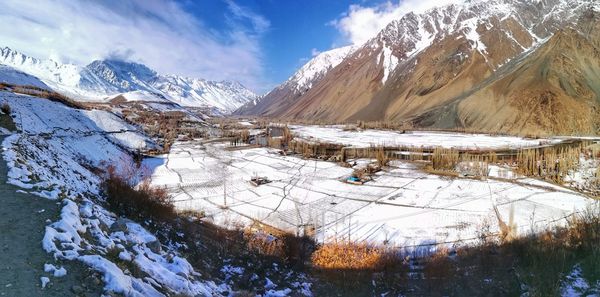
{"x":299,"y":83}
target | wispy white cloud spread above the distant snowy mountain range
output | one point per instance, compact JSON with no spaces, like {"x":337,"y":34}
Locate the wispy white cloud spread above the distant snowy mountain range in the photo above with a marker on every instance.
{"x":160,"y":34}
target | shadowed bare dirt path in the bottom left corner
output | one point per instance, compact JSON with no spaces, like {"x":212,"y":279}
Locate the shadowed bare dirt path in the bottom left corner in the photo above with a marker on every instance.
{"x":23,"y":218}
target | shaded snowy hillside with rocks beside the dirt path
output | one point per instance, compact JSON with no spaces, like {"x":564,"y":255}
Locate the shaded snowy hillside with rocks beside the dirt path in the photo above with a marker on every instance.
{"x":48,"y":157}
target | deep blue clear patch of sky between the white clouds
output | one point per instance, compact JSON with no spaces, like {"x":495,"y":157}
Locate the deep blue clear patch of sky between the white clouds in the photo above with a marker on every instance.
{"x":297,"y":29}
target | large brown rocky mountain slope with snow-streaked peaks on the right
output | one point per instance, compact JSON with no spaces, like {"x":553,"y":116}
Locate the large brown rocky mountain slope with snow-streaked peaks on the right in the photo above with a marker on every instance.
{"x":515,"y":66}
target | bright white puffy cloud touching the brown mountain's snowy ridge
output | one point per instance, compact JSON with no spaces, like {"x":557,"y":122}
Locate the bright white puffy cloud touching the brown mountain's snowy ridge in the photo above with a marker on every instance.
{"x":361,"y":23}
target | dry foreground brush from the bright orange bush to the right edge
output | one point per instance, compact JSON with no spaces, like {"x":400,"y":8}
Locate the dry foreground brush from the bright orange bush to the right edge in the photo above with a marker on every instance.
{"x":502,"y":264}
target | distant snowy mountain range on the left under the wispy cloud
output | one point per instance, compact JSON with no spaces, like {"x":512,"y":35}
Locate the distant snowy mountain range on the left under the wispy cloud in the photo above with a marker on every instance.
{"x":107,"y":79}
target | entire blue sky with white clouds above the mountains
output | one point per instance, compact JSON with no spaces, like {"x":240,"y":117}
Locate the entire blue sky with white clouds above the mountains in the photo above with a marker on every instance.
{"x":259,"y":43}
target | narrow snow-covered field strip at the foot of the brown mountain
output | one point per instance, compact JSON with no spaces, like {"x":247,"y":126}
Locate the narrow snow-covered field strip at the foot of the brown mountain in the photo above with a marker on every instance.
{"x":369,"y":137}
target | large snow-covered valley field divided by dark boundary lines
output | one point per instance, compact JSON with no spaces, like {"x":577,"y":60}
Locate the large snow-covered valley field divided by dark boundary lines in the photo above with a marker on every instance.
{"x":403,"y":206}
